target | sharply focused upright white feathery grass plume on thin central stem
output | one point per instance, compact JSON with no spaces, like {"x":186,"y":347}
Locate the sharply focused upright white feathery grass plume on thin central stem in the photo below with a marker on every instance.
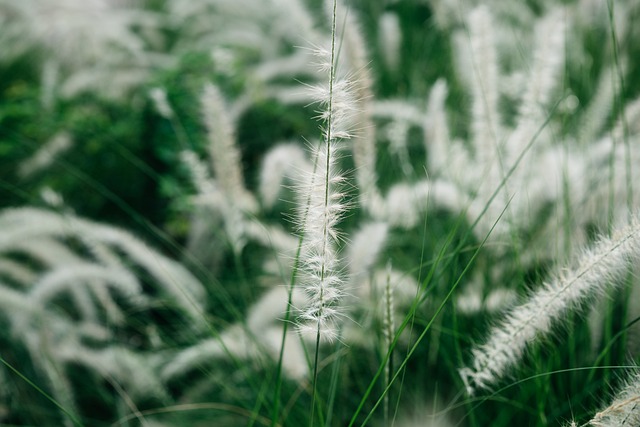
{"x":321,"y":203}
